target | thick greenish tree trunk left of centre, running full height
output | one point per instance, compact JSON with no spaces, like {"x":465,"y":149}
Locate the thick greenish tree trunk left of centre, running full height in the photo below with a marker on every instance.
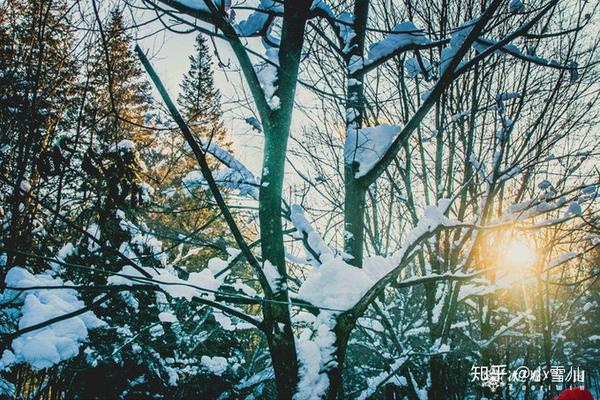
{"x":278,"y":325}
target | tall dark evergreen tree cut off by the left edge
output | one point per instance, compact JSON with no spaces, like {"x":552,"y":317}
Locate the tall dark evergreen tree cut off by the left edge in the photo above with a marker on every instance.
{"x":36,"y":93}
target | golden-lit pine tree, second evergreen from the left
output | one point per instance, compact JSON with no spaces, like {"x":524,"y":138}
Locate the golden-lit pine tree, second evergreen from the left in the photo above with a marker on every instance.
{"x":116,"y":106}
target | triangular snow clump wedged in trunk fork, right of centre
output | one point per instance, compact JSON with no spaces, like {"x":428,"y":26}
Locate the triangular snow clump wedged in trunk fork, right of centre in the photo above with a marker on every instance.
{"x":366,"y":146}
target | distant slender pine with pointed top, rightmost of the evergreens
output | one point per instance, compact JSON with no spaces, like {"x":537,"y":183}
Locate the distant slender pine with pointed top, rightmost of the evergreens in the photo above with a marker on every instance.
{"x":200,"y":103}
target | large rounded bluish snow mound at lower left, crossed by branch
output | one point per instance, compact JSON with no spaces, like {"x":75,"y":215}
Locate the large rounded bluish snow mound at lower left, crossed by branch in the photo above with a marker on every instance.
{"x":54,"y":343}
